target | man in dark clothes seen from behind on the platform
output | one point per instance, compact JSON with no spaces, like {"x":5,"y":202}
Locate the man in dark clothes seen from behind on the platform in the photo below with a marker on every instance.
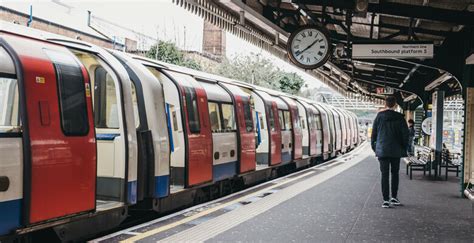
{"x":389,"y":140}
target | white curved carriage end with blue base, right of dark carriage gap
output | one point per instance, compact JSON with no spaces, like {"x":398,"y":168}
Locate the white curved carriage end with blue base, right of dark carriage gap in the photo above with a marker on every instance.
{"x":152,"y":129}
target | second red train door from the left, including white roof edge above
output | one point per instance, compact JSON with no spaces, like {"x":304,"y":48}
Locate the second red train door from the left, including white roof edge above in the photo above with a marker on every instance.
{"x":198,"y":137}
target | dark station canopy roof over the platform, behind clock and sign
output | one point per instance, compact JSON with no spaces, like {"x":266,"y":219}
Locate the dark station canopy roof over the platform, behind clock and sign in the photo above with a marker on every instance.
{"x":447,"y":25}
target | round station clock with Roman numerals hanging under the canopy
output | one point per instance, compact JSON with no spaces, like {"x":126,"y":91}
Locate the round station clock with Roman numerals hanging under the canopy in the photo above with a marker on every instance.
{"x":308,"y":47}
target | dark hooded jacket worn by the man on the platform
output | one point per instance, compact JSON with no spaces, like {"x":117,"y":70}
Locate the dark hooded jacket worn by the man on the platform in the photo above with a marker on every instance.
{"x":389,"y":135}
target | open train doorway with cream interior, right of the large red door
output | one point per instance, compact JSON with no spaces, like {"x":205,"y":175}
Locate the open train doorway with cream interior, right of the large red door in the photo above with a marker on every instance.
{"x":116,"y":121}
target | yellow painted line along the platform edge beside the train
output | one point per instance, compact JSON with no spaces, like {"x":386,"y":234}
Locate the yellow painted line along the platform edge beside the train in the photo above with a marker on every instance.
{"x":211,"y":210}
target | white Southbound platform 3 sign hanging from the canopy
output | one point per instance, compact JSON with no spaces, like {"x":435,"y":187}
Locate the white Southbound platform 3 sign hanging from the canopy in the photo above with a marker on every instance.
{"x":369,"y":51}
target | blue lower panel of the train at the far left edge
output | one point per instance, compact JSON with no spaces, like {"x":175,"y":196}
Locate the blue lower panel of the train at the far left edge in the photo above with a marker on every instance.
{"x":10,"y":215}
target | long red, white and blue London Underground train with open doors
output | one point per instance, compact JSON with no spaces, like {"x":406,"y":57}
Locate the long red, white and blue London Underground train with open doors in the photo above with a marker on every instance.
{"x":88,"y":136}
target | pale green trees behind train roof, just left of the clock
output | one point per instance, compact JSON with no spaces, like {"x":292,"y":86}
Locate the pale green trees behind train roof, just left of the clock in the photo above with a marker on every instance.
{"x":260,"y":71}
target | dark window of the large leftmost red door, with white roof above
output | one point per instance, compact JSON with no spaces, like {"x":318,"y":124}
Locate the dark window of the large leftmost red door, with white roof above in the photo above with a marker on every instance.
{"x":71,"y":92}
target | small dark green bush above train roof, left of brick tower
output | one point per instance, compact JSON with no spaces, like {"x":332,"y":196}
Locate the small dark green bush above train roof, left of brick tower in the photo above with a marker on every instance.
{"x":168,"y":52}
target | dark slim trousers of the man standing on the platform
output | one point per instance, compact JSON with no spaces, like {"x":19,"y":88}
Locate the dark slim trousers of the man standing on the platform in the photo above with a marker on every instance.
{"x":388,"y":165}
